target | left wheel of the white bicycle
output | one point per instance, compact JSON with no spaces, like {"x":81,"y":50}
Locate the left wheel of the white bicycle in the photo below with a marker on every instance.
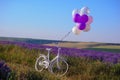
{"x":39,"y":66}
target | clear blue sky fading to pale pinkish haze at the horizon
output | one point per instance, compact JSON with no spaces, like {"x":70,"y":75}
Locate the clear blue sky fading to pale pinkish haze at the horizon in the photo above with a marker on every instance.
{"x":52,"y":19}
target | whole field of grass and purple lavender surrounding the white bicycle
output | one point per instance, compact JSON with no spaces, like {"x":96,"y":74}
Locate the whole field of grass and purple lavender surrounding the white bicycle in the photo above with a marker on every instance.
{"x":84,"y":64}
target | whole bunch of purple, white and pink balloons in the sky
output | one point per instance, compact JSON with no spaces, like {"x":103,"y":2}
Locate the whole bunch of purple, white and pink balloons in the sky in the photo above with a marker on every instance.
{"x":82,"y":19}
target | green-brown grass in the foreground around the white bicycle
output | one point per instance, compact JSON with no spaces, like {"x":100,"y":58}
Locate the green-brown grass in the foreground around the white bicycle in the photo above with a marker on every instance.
{"x":22,"y":61}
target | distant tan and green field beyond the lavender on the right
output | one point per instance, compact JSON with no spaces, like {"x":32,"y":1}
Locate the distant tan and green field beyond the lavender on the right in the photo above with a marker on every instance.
{"x":109,"y":47}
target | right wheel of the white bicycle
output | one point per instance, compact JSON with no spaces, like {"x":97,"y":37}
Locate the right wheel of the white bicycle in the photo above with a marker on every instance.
{"x":58,"y":67}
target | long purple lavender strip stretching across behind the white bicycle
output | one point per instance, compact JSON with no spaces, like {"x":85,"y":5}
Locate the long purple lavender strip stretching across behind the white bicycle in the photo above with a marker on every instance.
{"x":96,"y":55}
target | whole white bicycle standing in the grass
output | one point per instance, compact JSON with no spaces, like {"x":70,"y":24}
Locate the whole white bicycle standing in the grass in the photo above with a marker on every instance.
{"x":57,"y":65}
